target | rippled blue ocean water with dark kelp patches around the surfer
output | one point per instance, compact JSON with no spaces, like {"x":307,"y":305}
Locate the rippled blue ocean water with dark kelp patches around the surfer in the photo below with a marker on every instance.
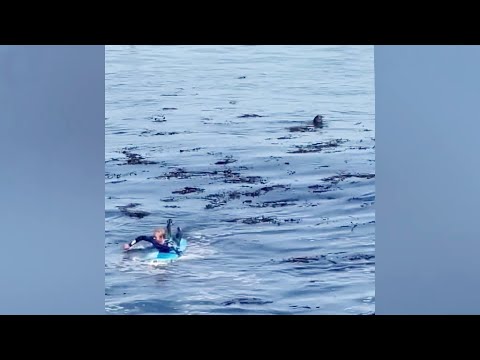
{"x":279,"y":214}
